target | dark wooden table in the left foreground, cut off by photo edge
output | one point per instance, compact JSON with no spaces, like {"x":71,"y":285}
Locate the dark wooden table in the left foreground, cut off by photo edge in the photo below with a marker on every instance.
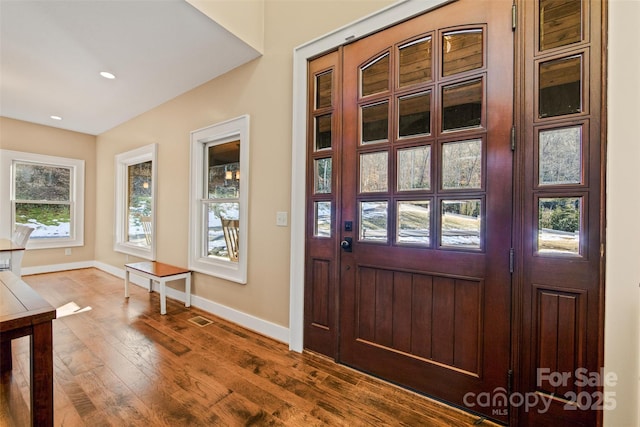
{"x":25,"y":313}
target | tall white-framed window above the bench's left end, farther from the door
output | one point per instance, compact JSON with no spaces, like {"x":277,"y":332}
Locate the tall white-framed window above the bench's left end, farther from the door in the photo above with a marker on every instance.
{"x":135,"y":216}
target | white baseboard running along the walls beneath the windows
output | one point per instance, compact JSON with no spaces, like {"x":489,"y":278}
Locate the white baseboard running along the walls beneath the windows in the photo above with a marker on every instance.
{"x":261,"y":326}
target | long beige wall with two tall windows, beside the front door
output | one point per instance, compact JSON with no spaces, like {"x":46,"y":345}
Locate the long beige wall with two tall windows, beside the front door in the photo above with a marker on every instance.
{"x":262,"y":89}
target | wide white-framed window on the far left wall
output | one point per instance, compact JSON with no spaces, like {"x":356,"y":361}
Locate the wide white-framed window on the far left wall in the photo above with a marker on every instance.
{"x":46,"y":193}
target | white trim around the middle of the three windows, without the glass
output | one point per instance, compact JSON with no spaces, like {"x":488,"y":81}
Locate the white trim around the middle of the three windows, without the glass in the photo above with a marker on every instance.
{"x":123,"y":161}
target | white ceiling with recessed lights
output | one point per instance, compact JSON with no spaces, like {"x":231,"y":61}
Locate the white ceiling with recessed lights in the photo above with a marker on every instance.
{"x":52,"y":51}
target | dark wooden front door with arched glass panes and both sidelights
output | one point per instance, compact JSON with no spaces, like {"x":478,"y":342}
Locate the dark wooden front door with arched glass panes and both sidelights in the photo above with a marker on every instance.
{"x":455,"y":207}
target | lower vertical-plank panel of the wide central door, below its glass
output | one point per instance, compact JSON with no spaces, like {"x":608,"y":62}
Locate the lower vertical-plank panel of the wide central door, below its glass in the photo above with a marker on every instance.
{"x":419,"y":301}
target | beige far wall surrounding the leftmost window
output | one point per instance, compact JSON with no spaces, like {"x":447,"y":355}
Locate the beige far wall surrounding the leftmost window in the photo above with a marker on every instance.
{"x":32,"y":138}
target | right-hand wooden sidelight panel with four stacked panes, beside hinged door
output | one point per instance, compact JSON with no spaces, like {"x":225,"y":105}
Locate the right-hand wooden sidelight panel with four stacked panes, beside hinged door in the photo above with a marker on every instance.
{"x":561,"y":165}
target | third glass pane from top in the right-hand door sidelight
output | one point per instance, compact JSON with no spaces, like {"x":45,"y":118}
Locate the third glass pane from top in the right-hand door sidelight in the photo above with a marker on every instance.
{"x":560,"y":156}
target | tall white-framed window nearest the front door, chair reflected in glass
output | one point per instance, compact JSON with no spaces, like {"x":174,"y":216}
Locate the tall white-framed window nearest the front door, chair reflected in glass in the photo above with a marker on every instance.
{"x":219,"y":199}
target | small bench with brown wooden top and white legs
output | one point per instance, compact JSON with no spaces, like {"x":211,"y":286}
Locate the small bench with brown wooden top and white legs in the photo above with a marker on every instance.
{"x":161,"y":273}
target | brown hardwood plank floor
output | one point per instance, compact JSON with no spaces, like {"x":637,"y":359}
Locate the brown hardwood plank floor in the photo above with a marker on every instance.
{"x":122,"y":363}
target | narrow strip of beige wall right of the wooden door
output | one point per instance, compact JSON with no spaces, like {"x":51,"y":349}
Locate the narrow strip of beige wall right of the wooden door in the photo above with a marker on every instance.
{"x":622,"y":311}
